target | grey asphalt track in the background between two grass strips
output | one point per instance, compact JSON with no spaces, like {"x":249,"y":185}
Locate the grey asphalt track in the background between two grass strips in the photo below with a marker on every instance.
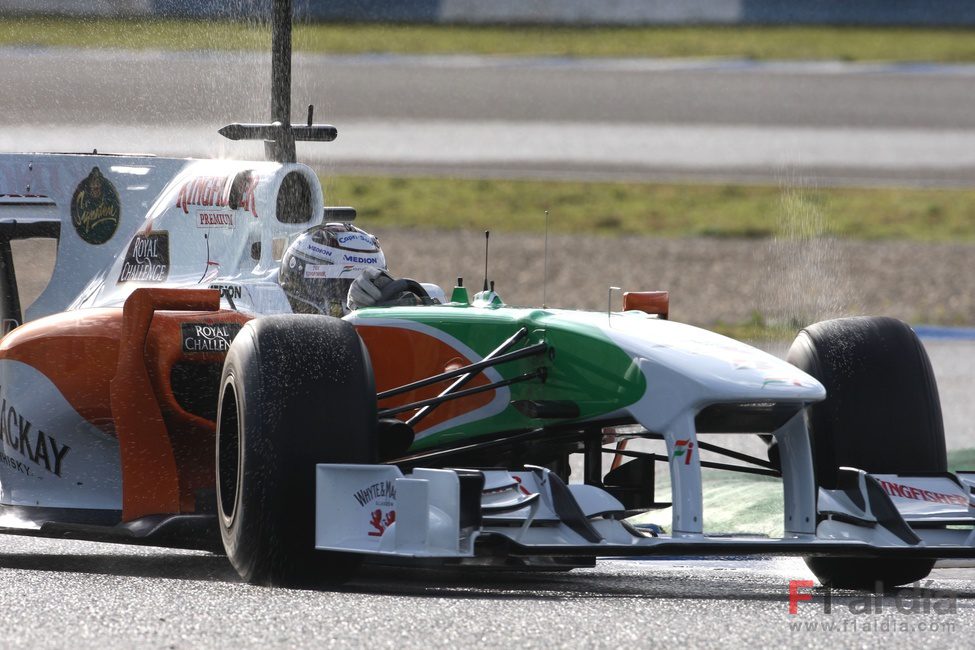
{"x":826,"y":123}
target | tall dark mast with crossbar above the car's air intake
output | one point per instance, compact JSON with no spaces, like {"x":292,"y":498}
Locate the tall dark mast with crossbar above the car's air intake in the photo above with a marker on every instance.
{"x":280,"y":135}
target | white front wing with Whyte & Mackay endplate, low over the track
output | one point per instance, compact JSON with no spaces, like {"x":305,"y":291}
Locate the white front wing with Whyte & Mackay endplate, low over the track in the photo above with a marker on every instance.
{"x":474,"y":515}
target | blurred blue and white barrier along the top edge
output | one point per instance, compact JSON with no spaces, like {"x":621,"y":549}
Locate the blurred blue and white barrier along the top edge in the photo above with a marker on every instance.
{"x":569,"y":12}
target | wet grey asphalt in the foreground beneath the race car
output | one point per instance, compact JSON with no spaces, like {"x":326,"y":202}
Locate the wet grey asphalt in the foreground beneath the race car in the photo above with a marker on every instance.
{"x":76,"y":594}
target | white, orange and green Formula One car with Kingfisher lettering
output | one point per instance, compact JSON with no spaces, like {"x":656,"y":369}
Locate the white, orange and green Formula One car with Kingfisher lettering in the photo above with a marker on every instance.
{"x":161,"y":391}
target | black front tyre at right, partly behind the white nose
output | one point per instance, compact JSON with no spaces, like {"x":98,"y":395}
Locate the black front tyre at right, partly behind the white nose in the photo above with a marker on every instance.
{"x":881,"y":414}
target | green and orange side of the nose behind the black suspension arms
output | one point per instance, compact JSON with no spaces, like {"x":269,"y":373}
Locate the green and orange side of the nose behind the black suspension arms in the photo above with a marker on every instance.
{"x":582,"y":365}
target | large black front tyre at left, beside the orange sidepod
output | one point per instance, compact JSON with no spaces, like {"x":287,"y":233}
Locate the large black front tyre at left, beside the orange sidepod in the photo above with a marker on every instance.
{"x":296,"y":390}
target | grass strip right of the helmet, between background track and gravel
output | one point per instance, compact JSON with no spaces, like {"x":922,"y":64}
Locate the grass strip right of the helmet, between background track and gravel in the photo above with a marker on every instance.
{"x":662,"y":210}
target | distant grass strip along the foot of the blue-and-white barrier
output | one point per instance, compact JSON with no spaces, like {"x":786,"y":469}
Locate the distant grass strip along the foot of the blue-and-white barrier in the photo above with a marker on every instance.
{"x":751,"y":42}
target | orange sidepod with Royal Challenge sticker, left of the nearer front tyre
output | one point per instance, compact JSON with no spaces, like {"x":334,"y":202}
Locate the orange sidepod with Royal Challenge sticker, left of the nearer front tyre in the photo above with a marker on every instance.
{"x":147,"y":375}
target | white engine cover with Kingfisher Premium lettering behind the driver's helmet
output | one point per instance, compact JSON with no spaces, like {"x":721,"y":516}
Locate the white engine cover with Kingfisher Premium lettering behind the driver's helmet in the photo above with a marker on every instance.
{"x":132,"y":221}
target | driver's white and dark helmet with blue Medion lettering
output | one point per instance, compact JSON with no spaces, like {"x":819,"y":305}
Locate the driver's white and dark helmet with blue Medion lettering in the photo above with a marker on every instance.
{"x":319,"y":266}
